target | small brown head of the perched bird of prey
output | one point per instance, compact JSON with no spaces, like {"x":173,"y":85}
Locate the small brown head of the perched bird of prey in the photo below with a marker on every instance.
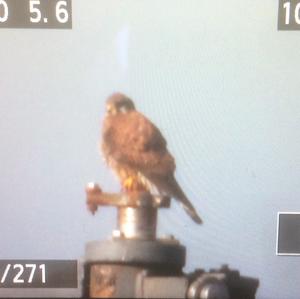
{"x":119,"y":103}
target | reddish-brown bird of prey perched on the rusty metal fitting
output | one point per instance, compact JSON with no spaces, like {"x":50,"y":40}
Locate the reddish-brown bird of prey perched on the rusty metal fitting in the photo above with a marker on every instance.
{"x":136,"y":150}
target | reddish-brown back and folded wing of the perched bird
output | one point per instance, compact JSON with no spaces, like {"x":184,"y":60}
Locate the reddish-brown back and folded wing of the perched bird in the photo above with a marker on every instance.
{"x":133,"y":140}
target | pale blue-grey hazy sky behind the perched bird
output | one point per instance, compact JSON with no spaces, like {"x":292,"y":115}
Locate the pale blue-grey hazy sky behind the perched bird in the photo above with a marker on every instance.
{"x":216,"y":77}
